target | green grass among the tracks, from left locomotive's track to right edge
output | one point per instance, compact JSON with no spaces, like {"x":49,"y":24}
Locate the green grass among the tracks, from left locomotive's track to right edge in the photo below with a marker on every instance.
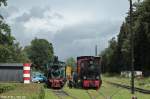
{"x":106,"y":91}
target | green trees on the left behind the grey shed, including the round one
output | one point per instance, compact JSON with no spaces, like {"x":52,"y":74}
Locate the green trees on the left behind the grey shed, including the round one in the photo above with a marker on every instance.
{"x":39,"y":52}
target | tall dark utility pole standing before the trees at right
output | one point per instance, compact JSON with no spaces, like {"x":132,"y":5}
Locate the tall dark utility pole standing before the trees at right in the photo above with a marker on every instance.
{"x":132,"y":48}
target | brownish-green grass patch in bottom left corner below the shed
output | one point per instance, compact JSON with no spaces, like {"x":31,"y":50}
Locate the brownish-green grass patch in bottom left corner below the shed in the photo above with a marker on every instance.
{"x":27,"y":91}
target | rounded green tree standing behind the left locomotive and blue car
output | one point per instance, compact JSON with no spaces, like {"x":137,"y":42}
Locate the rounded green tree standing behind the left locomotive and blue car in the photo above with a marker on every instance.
{"x":40,"y":52}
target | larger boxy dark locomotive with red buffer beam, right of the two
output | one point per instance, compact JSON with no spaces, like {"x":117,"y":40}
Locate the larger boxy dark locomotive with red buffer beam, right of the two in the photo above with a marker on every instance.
{"x":88,"y":72}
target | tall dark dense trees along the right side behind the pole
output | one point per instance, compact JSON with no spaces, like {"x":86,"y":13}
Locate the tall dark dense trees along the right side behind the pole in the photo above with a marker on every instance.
{"x":117,"y":57}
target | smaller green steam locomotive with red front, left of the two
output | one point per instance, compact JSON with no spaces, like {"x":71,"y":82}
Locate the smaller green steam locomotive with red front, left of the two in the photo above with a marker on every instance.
{"x":56,"y":74}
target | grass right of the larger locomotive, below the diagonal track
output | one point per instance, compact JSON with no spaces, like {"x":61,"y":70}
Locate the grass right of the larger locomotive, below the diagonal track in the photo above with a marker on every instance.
{"x":108,"y":90}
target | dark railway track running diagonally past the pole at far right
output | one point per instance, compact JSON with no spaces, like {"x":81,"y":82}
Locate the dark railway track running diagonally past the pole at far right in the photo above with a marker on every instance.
{"x":129,"y":87}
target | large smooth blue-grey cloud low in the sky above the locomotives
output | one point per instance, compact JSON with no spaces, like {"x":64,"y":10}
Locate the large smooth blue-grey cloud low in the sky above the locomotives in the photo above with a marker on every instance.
{"x":81,"y":39}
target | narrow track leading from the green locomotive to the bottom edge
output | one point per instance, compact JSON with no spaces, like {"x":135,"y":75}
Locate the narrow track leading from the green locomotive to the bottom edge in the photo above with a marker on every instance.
{"x":62,"y":94}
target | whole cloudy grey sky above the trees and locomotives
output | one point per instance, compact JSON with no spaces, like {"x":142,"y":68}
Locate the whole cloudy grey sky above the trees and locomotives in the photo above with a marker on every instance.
{"x":73,"y":26}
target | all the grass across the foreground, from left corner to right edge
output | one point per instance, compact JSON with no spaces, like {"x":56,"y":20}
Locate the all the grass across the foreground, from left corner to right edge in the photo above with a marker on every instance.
{"x":37,"y":91}
